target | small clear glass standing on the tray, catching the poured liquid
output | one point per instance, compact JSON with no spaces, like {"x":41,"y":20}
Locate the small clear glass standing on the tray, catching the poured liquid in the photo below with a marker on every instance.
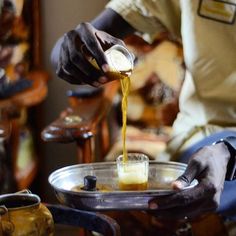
{"x":133,"y":173}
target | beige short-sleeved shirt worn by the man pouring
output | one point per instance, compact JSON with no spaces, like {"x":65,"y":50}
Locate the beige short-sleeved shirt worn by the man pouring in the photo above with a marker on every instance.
{"x":207,"y":30}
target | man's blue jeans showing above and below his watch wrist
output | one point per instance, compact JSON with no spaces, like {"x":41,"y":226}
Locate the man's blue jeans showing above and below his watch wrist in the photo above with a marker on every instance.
{"x":227,"y":206}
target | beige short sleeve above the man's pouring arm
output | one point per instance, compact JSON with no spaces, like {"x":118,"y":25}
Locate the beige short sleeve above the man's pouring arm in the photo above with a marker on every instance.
{"x":148,"y":17}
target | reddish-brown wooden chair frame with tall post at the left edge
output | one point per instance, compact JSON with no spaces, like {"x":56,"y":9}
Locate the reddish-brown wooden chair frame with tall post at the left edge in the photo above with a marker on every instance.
{"x":14,"y":107}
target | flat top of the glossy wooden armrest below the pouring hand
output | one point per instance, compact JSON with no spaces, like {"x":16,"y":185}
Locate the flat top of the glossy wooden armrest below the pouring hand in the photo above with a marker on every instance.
{"x":81,"y":119}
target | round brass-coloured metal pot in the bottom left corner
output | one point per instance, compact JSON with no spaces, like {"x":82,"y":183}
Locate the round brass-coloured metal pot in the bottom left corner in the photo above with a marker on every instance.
{"x":22,"y":214}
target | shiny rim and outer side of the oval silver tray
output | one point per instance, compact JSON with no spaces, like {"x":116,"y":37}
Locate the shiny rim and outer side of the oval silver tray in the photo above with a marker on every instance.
{"x":113,"y":200}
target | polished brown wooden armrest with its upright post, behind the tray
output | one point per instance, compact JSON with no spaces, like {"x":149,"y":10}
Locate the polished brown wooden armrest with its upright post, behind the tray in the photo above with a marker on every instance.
{"x":85,"y":122}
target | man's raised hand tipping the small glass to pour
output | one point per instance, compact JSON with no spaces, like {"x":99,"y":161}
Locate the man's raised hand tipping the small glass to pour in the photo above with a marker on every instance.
{"x":77,"y":47}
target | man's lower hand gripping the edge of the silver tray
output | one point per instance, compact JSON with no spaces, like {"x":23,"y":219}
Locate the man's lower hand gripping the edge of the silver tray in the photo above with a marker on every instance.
{"x":208,"y":166}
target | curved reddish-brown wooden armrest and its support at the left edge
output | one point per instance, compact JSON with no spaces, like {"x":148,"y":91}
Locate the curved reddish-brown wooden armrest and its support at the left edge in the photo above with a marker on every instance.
{"x":10,"y":113}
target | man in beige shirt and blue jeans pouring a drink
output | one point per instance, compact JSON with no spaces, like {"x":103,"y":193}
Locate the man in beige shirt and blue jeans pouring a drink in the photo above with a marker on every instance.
{"x":207,"y":31}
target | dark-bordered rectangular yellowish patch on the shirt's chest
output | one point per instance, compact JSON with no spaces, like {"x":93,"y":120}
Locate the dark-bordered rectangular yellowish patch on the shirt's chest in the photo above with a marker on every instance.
{"x":218,"y":10}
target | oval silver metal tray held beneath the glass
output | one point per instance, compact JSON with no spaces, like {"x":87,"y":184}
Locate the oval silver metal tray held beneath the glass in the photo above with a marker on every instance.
{"x":66,"y":183}
